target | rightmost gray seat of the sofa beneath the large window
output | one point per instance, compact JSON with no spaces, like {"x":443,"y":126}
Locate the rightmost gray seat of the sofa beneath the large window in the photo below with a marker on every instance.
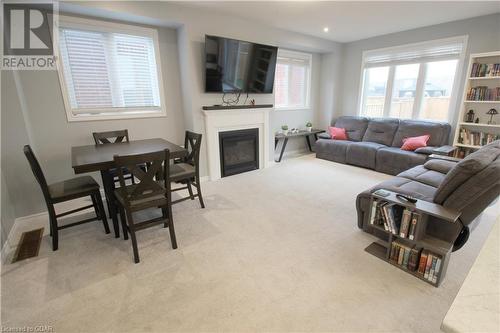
{"x":393,"y":160}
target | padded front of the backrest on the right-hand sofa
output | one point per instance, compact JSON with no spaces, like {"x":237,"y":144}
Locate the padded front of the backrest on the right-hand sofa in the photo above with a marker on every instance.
{"x":467,"y":168}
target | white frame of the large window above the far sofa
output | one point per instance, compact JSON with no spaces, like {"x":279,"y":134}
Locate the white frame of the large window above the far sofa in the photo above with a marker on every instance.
{"x":422,"y":76}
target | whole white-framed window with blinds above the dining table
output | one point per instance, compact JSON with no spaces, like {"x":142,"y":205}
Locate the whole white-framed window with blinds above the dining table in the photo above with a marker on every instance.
{"x":108,"y":70}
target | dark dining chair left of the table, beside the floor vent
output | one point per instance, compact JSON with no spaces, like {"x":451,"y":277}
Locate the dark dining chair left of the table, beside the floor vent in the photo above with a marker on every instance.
{"x":66,"y":190}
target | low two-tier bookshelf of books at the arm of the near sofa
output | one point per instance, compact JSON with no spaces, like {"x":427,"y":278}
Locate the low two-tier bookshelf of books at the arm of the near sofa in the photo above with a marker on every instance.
{"x":427,"y":253}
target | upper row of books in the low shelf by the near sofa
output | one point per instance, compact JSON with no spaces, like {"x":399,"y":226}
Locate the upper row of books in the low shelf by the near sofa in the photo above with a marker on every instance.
{"x":395,"y":218}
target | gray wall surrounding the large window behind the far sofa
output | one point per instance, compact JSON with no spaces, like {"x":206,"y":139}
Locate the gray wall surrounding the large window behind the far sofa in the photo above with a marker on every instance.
{"x":483,"y":32}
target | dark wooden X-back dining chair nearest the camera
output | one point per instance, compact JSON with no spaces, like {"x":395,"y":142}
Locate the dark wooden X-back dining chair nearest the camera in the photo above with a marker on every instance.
{"x":152,"y":190}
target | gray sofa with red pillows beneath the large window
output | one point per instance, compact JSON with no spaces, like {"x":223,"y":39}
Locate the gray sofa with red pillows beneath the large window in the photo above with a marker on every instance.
{"x":375,"y":143}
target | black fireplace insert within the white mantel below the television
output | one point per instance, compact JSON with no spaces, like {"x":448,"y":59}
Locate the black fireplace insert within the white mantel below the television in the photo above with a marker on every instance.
{"x":239,"y":151}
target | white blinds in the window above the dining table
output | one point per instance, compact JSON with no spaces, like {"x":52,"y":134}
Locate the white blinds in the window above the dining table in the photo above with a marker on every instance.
{"x":108,"y":71}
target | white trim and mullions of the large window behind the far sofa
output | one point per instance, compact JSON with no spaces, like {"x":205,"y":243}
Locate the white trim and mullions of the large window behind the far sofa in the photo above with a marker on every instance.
{"x":416,"y":106}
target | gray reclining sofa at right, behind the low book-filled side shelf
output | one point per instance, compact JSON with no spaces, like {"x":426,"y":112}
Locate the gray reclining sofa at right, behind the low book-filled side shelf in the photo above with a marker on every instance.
{"x":467,"y":186}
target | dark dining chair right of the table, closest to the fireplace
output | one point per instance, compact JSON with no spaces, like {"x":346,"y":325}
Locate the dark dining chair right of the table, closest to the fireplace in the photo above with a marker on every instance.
{"x":187,"y":169}
